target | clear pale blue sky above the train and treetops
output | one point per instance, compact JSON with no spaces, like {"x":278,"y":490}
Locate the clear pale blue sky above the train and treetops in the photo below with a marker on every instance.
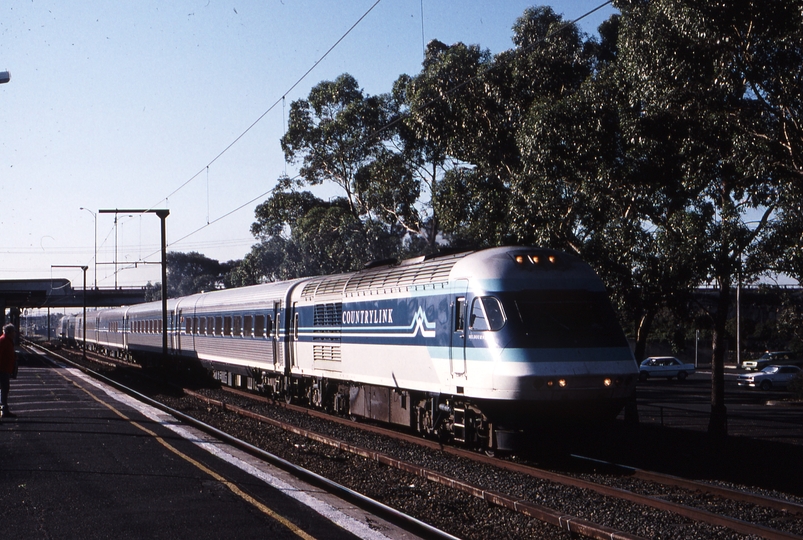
{"x":117,"y":104}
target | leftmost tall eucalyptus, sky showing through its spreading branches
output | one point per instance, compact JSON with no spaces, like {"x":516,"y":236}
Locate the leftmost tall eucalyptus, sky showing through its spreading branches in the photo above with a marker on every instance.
{"x":341,"y":136}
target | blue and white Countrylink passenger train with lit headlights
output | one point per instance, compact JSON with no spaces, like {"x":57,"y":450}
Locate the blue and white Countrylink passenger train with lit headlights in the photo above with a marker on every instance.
{"x":479,"y":347}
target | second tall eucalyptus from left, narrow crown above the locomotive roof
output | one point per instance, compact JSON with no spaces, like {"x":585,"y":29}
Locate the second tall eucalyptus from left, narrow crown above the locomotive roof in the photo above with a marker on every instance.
{"x":442,"y":107}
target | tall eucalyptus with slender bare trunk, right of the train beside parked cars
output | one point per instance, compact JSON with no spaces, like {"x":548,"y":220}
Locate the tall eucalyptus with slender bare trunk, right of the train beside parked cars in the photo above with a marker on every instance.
{"x":690,"y":86}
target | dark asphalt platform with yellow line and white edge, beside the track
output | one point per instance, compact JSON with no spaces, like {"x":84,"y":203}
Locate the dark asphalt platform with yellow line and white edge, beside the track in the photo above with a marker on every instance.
{"x":82,"y":460}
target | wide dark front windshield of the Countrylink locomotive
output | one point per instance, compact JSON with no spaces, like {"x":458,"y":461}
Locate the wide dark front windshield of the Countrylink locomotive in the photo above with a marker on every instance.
{"x":557,"y":319}
